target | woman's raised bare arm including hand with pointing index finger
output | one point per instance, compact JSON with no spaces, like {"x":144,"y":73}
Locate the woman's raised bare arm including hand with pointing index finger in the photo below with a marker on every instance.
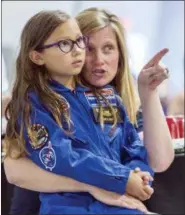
{"x":157,"y":137}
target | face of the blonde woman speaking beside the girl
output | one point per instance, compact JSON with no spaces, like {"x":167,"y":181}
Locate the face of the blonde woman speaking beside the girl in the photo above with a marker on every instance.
{"x":102,"y":56}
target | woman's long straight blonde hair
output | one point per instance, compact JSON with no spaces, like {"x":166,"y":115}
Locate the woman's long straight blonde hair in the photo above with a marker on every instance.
{"x":94,"y":19}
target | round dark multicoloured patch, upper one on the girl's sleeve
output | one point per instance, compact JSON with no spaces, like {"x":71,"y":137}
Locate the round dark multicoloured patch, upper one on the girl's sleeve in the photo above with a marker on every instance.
{"x":40,"y":134}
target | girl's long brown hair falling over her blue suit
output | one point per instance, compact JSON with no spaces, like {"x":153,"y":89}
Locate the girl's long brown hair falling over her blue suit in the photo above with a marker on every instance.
{"x":32,"y":76}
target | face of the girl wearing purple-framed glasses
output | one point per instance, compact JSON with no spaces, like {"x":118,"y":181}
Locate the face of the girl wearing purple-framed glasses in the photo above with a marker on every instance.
{"x":63,"y":66}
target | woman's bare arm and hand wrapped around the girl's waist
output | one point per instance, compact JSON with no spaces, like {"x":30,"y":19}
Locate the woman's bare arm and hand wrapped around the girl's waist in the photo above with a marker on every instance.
{"x":24,"y":173}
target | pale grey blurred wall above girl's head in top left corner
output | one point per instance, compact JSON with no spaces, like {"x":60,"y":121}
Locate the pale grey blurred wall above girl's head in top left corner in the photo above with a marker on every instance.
{"x":16,"y":13}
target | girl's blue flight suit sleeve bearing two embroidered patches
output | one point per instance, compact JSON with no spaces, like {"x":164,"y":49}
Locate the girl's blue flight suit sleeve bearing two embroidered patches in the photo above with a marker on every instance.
{"x":60,"y":157}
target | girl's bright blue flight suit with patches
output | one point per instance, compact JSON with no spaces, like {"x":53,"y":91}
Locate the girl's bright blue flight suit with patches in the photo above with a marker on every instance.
{"x":90,"y":155}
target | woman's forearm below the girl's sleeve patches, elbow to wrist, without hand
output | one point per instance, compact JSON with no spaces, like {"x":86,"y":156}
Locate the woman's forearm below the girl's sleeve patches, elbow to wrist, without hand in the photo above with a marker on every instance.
{"x":24,"y":173}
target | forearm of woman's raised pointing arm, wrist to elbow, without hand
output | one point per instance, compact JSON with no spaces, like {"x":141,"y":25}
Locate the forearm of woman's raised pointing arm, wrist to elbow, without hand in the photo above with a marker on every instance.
{"x":157,"y":137}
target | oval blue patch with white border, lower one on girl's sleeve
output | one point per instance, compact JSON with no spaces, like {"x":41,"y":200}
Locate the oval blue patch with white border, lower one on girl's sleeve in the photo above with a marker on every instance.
{"x":48,"y":157}
